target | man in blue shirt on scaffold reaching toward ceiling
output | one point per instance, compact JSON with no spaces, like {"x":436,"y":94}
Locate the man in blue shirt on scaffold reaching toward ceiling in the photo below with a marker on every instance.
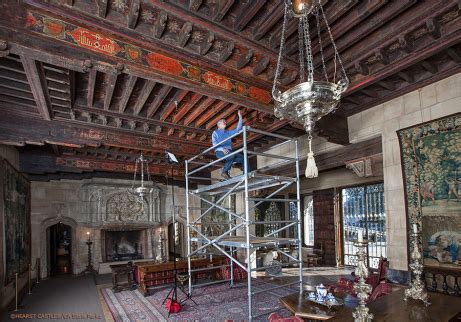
{"x":220,"y":135}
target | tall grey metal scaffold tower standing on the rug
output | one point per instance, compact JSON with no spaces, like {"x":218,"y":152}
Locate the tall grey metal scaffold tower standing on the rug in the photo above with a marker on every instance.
{"x":239,"y":236}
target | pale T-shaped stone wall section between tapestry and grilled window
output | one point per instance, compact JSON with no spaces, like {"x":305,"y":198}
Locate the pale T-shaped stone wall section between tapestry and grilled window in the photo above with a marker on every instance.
{"x":428,"y":103}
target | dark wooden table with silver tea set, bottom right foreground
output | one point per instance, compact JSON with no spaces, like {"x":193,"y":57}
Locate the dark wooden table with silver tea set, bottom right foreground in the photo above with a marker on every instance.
{"x":391,"y":308}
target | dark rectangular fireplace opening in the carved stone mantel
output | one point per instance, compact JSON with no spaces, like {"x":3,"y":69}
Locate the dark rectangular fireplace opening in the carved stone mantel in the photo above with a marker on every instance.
{"x":124,"y":245}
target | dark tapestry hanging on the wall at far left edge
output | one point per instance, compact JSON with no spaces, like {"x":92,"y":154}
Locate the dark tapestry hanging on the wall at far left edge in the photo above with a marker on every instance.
{"x":16,"y":221}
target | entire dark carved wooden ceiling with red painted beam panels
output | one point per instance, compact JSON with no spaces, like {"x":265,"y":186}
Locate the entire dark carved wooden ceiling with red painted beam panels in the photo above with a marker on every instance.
{"x":86,"y":85}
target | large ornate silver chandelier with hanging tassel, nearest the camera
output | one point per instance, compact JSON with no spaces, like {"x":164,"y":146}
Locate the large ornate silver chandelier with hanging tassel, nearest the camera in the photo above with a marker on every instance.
{"x":312,"y":98}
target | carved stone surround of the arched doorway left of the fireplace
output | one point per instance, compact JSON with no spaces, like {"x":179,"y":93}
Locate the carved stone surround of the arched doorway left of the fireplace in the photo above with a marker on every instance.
{"x":43,"y":242}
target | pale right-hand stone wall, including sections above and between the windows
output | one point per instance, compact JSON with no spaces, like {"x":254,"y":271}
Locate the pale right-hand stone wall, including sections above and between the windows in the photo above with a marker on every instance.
{"x":423,"y":105}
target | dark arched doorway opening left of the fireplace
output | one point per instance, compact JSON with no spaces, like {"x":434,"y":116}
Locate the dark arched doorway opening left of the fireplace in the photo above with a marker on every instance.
{"x":59,"y":240}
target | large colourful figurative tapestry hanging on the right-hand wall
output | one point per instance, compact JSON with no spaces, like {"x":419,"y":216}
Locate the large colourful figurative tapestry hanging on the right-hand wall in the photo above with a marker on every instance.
{"x":431,"y":165}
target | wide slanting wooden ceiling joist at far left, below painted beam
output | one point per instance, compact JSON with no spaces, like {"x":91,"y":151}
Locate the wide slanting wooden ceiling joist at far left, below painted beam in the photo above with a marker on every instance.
{"x":36,"y":77}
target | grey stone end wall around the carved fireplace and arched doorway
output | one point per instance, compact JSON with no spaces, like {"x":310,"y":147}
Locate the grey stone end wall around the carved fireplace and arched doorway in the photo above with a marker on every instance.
{"x":81,"y":204}
